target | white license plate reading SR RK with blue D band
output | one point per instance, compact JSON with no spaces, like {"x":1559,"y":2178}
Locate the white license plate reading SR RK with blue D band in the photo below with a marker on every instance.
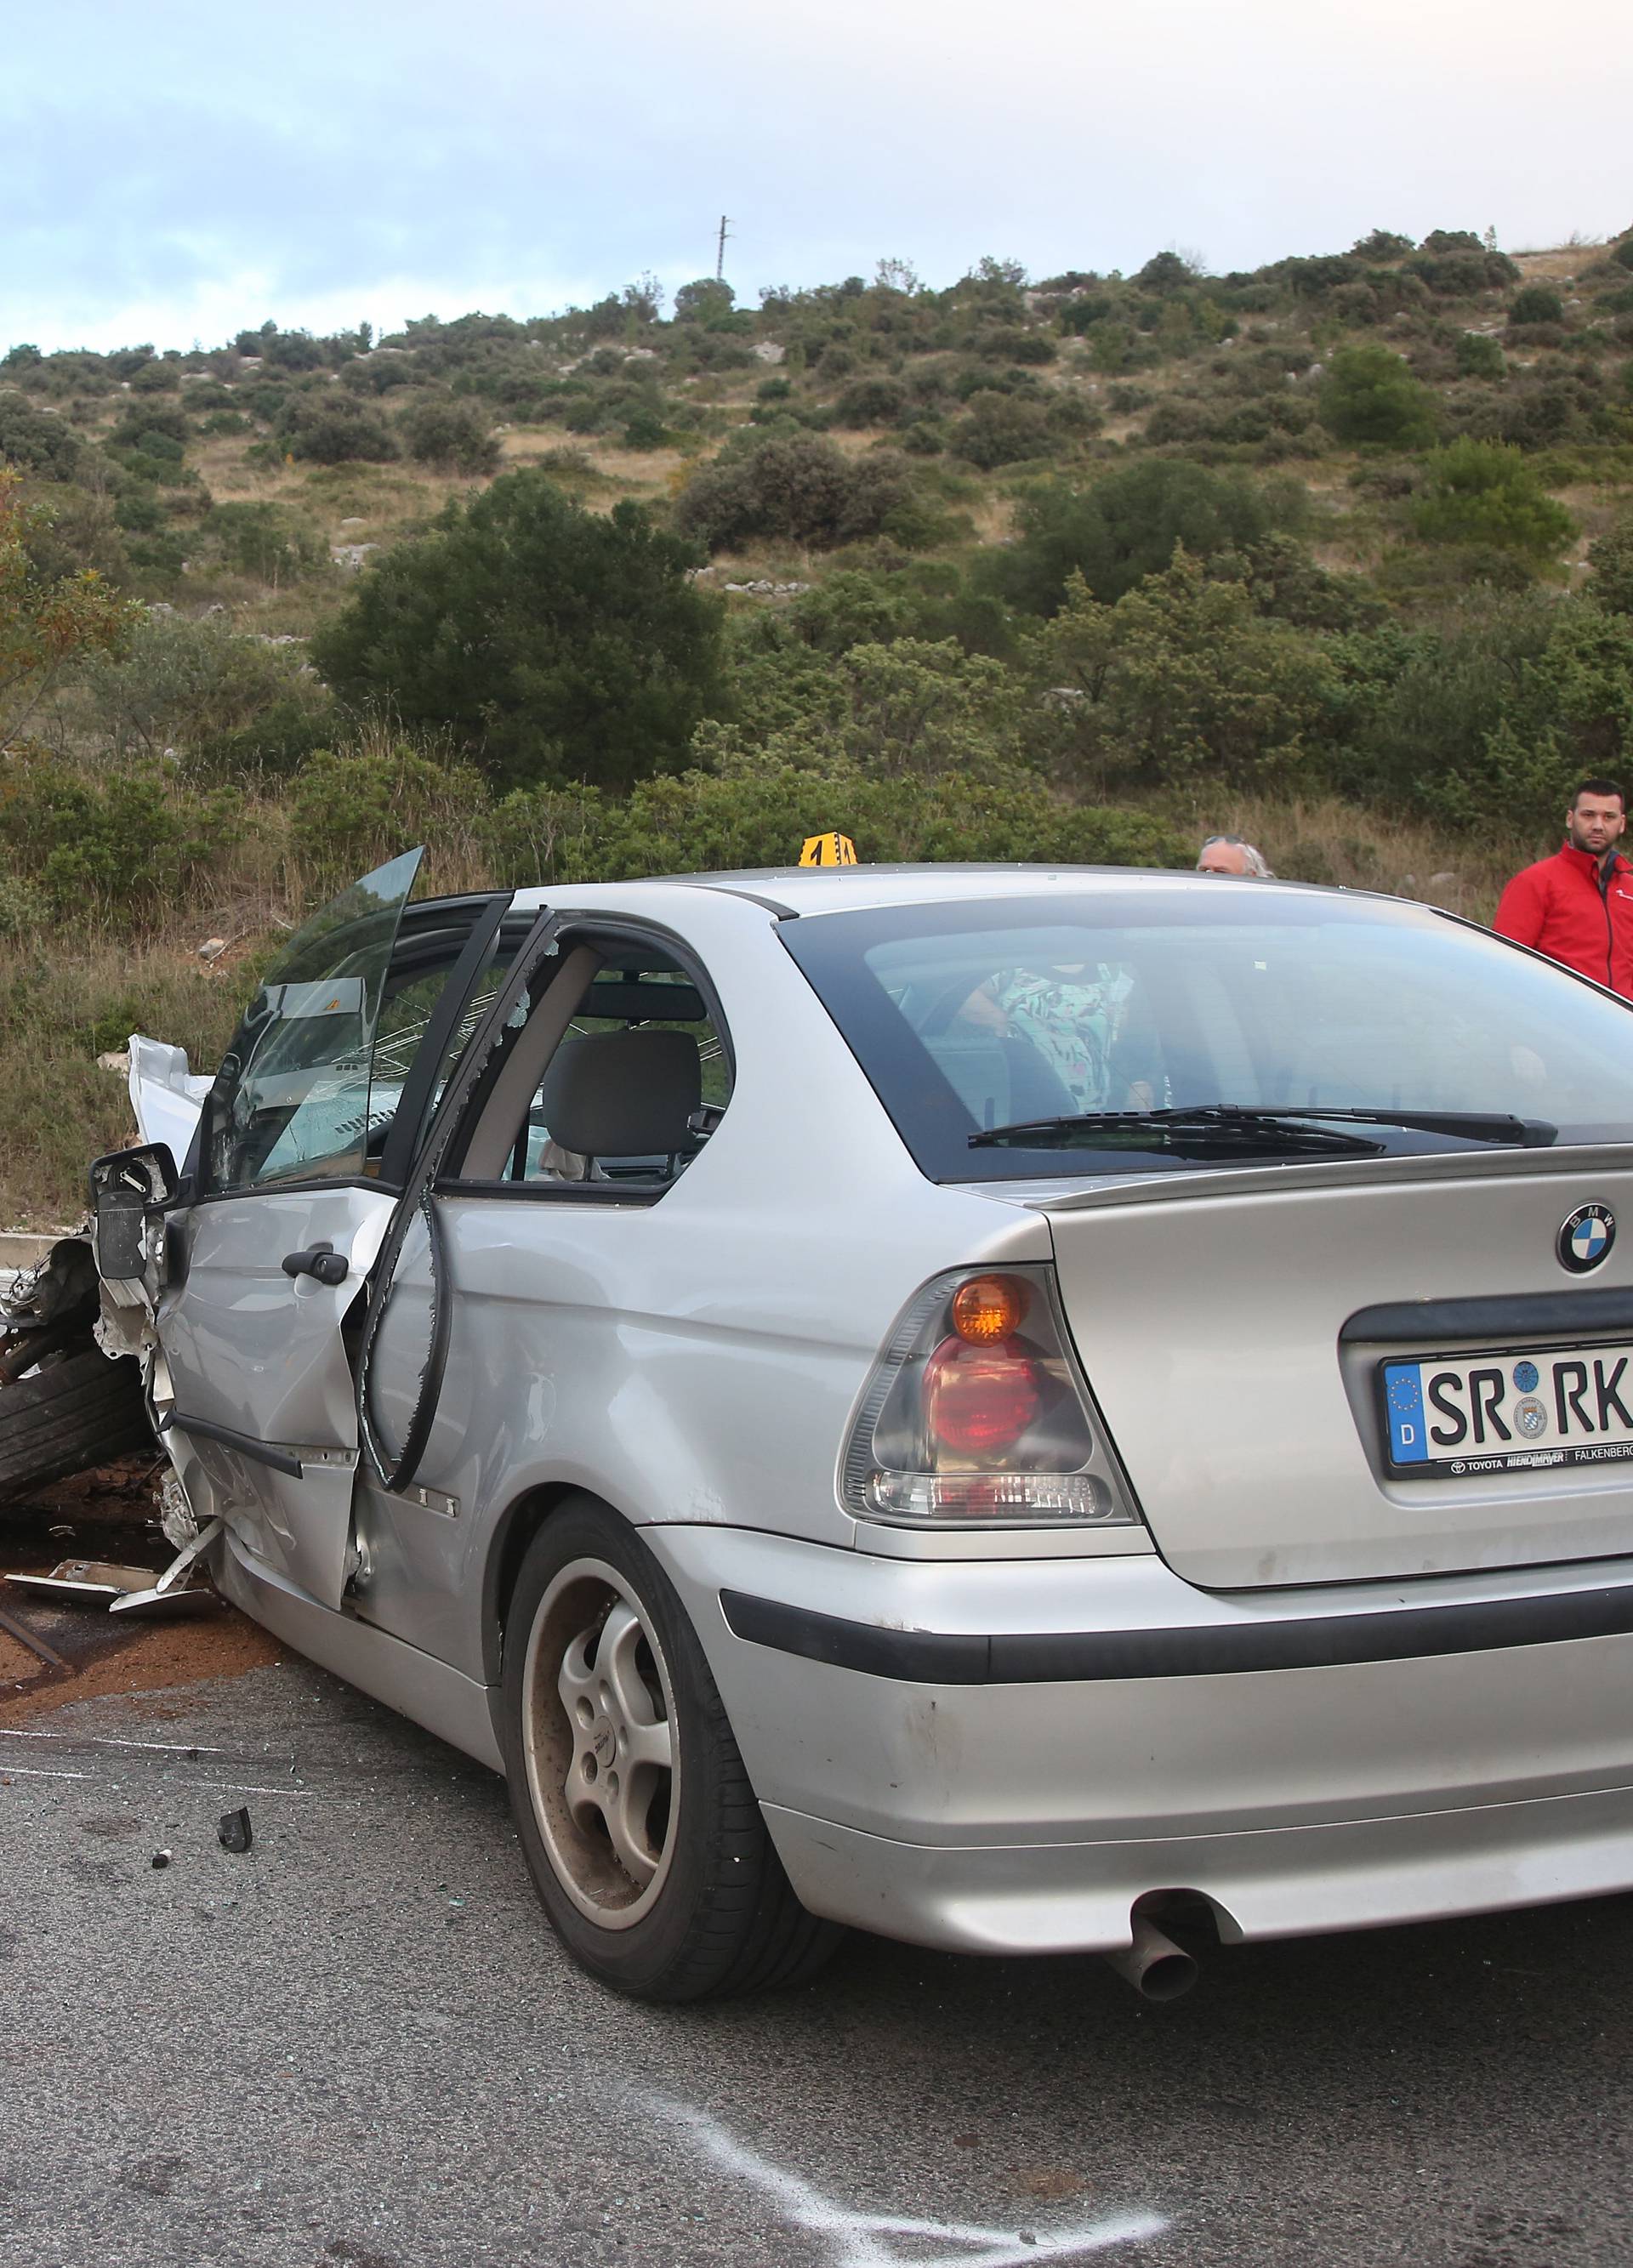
{"x":1455,"y":1414}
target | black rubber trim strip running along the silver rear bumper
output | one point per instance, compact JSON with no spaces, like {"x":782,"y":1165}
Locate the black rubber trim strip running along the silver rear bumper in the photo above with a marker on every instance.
{"x":1219,"y":1650}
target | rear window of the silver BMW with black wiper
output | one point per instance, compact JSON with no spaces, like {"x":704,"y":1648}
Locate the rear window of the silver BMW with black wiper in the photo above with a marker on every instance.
{"x":1135,"y":1029}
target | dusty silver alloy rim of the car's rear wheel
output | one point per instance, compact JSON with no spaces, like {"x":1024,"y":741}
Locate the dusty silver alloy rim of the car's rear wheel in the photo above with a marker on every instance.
{"x":600,"y":1743}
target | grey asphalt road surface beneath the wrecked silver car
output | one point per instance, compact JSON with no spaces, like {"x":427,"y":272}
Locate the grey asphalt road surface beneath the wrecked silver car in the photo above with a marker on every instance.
{"x":359,"y":2045}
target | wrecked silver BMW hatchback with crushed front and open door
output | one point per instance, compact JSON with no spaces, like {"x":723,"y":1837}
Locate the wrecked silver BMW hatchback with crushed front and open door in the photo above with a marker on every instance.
{"x":976,"y":1403}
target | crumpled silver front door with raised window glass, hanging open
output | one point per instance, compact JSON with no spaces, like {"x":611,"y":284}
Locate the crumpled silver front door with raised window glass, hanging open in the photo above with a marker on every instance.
{"x":294,"y":1176}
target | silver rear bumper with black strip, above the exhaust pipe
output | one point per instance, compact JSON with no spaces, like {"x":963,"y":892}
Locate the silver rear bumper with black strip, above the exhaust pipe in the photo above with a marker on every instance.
{"x":1006,"y":1757}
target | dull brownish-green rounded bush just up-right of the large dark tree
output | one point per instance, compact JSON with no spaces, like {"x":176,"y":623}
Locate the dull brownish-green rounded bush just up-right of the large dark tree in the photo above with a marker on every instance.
{"x":799,"y":489}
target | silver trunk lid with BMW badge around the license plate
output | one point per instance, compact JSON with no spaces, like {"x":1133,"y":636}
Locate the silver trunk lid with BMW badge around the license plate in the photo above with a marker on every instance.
{"x":1233,"y":1328}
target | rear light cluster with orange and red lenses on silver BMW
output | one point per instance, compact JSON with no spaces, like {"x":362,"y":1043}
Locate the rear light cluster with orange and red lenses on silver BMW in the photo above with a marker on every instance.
{"x":979,"y":1414}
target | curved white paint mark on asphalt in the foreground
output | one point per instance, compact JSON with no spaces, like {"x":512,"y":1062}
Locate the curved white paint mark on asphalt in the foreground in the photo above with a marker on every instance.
{"x":863,"y":2240}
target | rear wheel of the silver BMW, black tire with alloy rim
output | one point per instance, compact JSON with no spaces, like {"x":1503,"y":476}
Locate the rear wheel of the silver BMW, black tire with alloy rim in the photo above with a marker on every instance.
{"x":632,"y":1802}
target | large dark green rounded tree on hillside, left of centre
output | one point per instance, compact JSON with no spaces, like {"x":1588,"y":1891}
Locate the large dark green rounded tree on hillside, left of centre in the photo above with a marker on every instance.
{"x":550,"y":641}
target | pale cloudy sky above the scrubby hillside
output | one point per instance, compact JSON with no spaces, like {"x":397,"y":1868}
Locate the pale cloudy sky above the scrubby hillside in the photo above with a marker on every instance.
{"x":174,"y":171}
